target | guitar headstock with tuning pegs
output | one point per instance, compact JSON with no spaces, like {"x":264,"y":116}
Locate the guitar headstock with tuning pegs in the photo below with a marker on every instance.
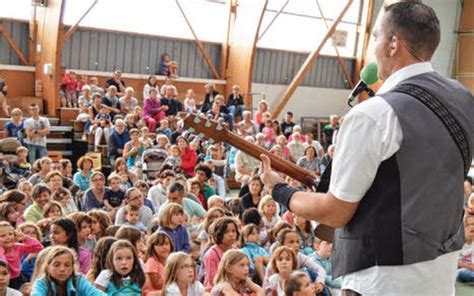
{"x":203,"y":127}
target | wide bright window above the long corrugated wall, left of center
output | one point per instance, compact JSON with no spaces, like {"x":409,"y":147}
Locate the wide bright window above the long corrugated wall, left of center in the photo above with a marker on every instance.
{"x":152,"y":17}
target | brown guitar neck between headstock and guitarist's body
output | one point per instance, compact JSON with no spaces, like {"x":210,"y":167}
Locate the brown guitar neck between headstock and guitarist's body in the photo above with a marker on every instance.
{"x":279,"y":164}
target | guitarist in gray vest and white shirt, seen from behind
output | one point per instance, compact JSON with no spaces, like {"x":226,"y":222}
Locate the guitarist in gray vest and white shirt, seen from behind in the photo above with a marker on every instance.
{"x":386,"y":198}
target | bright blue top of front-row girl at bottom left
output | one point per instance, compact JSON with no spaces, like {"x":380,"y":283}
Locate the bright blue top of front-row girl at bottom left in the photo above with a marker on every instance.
{"x":82,"y":287}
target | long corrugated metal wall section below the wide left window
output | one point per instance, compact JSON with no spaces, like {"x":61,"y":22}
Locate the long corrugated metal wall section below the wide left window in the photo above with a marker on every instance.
{"x":107,"y":51}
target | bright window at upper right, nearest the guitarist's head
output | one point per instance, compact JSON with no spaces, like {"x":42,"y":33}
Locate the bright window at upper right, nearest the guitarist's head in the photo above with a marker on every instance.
{"x":301,"y":18}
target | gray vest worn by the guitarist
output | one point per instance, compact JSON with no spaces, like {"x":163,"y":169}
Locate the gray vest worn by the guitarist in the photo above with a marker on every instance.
{"x":413,"y":211}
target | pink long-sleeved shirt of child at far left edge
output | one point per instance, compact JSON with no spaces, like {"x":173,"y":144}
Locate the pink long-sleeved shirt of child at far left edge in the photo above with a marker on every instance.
{"x":13,"y":258}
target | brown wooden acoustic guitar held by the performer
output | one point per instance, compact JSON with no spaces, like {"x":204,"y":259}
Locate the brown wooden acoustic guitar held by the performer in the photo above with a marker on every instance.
{"x":214,"y":132}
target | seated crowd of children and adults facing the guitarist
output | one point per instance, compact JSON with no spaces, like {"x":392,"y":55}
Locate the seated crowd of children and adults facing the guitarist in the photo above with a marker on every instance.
{"x":174,"y":232}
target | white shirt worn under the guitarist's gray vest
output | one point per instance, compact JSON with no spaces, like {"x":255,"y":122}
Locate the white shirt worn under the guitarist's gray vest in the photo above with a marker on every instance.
{"x":370,"y":134}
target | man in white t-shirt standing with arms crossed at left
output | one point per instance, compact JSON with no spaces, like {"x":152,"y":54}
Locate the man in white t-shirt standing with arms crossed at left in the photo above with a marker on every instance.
{"x":36,"y":128}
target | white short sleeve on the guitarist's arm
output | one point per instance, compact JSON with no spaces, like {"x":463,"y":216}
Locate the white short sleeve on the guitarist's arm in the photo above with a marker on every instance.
{"x":368,"y":136}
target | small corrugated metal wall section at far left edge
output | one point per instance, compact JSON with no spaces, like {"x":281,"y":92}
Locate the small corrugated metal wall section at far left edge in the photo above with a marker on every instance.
{"x":19,"y":32}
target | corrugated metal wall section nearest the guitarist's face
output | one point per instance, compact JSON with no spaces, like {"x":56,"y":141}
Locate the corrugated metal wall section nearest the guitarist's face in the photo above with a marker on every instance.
{"x":279,"y":67}
